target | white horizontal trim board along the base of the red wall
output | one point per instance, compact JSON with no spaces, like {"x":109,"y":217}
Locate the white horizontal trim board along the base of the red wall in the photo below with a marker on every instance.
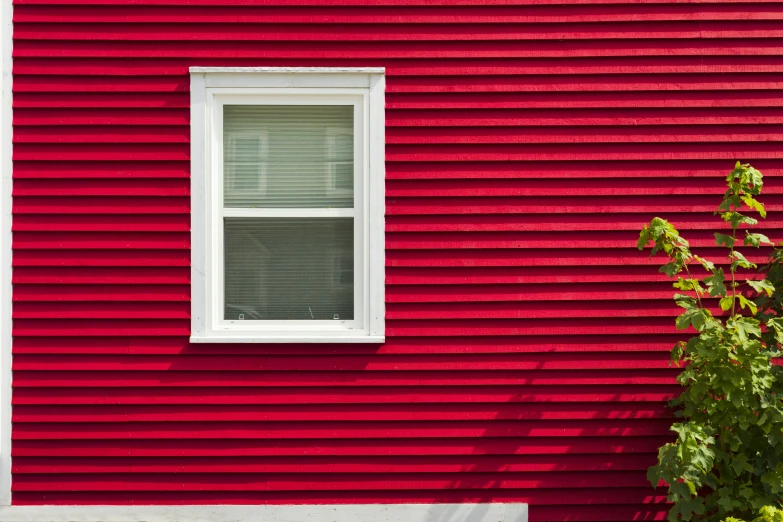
{"x":299,"y":513}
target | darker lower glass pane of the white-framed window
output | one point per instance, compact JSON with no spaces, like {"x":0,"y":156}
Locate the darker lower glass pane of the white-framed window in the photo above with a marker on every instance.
{"x":280,"y":268}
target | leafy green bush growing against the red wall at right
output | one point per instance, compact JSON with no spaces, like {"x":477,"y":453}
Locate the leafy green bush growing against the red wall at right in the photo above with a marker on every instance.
{"x":727,"y":459}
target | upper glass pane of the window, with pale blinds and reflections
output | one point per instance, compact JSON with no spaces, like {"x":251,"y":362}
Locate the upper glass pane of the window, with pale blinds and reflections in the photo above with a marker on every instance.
{"x":288,"y":156}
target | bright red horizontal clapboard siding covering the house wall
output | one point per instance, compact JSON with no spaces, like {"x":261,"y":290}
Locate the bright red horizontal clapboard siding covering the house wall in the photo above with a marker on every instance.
{"x":527,"y":340}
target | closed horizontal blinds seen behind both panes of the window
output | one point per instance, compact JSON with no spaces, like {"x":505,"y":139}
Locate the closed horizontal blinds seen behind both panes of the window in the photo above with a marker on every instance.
{"x":298,"y":157}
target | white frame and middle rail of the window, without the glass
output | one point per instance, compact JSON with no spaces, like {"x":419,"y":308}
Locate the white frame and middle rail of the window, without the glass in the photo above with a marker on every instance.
{"x":214,"y":87}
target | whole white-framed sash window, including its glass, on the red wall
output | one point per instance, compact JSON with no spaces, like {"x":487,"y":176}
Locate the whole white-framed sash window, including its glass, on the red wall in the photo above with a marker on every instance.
{"x":287,"y":169}
